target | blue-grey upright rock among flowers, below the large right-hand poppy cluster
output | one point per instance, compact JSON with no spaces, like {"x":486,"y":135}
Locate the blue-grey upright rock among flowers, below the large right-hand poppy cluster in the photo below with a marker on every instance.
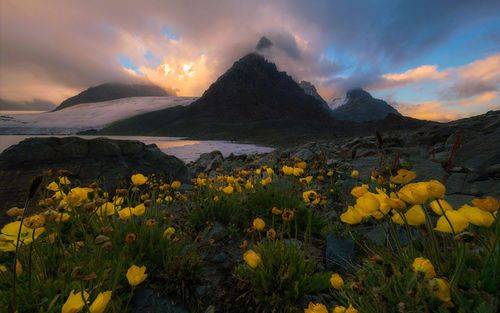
{"x":339,"y":253}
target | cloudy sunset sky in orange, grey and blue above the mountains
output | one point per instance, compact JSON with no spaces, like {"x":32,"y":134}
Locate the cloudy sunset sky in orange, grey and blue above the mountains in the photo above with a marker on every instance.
{"x":437,"y":60}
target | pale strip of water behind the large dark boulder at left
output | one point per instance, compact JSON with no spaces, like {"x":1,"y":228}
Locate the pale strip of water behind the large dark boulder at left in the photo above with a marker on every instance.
{"x":186,"y":150}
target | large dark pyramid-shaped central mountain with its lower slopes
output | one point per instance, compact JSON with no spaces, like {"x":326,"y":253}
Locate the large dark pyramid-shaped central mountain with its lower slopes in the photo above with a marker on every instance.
{"x":252,"y":101}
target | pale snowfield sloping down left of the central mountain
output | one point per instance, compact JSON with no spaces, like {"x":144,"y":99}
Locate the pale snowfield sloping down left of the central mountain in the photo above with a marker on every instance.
{"x":86,"y":116}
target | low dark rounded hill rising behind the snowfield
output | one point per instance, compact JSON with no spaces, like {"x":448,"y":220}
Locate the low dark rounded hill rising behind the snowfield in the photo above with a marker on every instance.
{"x":112,"y":91}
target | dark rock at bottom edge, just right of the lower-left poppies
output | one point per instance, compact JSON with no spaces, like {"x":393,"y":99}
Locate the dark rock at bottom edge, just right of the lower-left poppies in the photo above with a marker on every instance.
{"x":147,"y":300}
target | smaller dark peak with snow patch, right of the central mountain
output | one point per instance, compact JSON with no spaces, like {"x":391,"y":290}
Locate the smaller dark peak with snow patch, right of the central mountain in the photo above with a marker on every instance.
{"x":359,"y":106}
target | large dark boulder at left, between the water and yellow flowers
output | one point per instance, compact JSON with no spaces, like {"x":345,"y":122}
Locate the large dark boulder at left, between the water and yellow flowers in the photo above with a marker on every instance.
{"x":100,"y":158}
